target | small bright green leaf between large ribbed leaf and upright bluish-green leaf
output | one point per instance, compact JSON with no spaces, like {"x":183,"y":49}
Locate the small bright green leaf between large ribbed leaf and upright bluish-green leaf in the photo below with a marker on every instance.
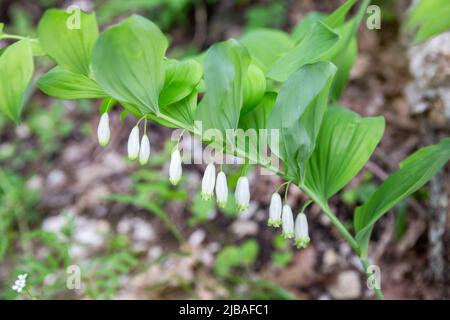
{"x":181,"y":79}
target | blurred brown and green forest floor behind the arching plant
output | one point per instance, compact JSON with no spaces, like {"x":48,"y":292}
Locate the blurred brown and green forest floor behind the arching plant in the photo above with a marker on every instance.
{"x":66,"y":201}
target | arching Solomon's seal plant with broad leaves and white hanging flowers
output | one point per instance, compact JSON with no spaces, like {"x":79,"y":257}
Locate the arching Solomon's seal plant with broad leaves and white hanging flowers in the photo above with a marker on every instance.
{"x":283,"y":86}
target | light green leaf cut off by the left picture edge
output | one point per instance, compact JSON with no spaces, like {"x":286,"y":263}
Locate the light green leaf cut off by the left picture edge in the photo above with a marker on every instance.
{"x":16,"y":65}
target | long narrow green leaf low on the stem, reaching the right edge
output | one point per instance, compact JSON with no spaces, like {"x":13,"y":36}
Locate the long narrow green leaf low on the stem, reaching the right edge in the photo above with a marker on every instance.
{"x":414,"y":172}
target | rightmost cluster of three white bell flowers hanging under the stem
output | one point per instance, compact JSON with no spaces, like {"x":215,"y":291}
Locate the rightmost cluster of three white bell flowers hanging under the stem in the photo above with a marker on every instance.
{"x":281,"y":215}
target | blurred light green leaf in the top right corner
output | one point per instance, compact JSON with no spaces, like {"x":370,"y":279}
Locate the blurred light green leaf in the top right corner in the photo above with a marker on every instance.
{"x":428,"y":18}
